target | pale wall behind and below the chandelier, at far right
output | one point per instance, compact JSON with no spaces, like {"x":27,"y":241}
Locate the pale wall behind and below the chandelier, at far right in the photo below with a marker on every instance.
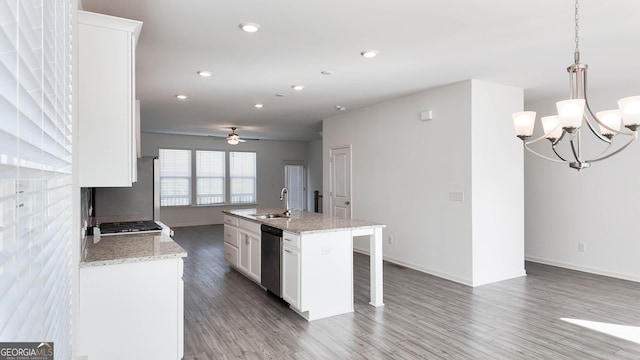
{"x":598,"y":206}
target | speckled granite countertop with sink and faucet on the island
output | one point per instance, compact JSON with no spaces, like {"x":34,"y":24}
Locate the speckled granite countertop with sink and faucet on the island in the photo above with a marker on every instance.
{"x":303,"y":222}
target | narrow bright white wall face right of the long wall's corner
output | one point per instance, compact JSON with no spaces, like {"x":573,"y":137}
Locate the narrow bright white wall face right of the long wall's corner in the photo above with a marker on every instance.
{"x":497,"y":184}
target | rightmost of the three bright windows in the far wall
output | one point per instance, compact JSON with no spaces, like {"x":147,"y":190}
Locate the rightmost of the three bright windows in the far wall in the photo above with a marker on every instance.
{"x":242,"y":174}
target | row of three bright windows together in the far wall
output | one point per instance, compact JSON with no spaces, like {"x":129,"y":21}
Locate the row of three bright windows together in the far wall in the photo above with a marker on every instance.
{"x":208,"y":176}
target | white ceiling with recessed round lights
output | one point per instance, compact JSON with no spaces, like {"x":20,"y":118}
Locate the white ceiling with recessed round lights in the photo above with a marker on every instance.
{"x":421,"y":43}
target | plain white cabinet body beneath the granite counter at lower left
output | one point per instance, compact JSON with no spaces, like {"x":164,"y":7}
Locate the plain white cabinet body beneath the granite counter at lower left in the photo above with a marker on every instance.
{"x":132,"y":310}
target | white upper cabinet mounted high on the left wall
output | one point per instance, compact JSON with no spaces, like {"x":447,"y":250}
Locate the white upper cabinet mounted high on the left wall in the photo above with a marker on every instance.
{"x":106,"y":100}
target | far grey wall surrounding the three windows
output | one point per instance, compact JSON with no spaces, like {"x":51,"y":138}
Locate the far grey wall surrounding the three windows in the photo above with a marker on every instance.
{"x":271,"y":156}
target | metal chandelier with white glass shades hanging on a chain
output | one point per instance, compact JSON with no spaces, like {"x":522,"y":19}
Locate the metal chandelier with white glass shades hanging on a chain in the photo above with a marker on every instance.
{"x":571,"y":118}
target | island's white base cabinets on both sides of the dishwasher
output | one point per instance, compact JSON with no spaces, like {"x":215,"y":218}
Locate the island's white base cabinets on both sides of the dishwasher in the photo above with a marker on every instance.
{"x":317,"y":267}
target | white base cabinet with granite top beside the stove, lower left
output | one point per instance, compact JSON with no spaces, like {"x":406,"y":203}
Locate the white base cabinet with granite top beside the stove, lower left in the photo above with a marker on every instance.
{"x":131,"y":297}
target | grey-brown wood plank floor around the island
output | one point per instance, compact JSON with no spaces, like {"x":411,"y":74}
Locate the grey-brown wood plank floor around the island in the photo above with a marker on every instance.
{"x":227,"y":316}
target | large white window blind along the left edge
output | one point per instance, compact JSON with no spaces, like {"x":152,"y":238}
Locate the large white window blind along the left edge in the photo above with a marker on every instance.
{"x":35,"y":172}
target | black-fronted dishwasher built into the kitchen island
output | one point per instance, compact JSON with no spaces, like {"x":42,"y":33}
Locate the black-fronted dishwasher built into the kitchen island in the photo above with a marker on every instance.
{"x":271,"y":263}
